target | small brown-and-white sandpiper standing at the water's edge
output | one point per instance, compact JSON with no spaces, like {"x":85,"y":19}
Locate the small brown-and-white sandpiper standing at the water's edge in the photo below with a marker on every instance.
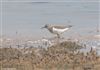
{"x":57,"y":29}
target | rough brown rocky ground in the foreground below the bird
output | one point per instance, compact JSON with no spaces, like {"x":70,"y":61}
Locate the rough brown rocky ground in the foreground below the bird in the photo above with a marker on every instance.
{"x":61,"y":56}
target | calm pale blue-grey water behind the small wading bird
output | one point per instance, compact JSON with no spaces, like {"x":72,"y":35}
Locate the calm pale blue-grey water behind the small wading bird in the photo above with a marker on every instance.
{"x":24,"y":19}
